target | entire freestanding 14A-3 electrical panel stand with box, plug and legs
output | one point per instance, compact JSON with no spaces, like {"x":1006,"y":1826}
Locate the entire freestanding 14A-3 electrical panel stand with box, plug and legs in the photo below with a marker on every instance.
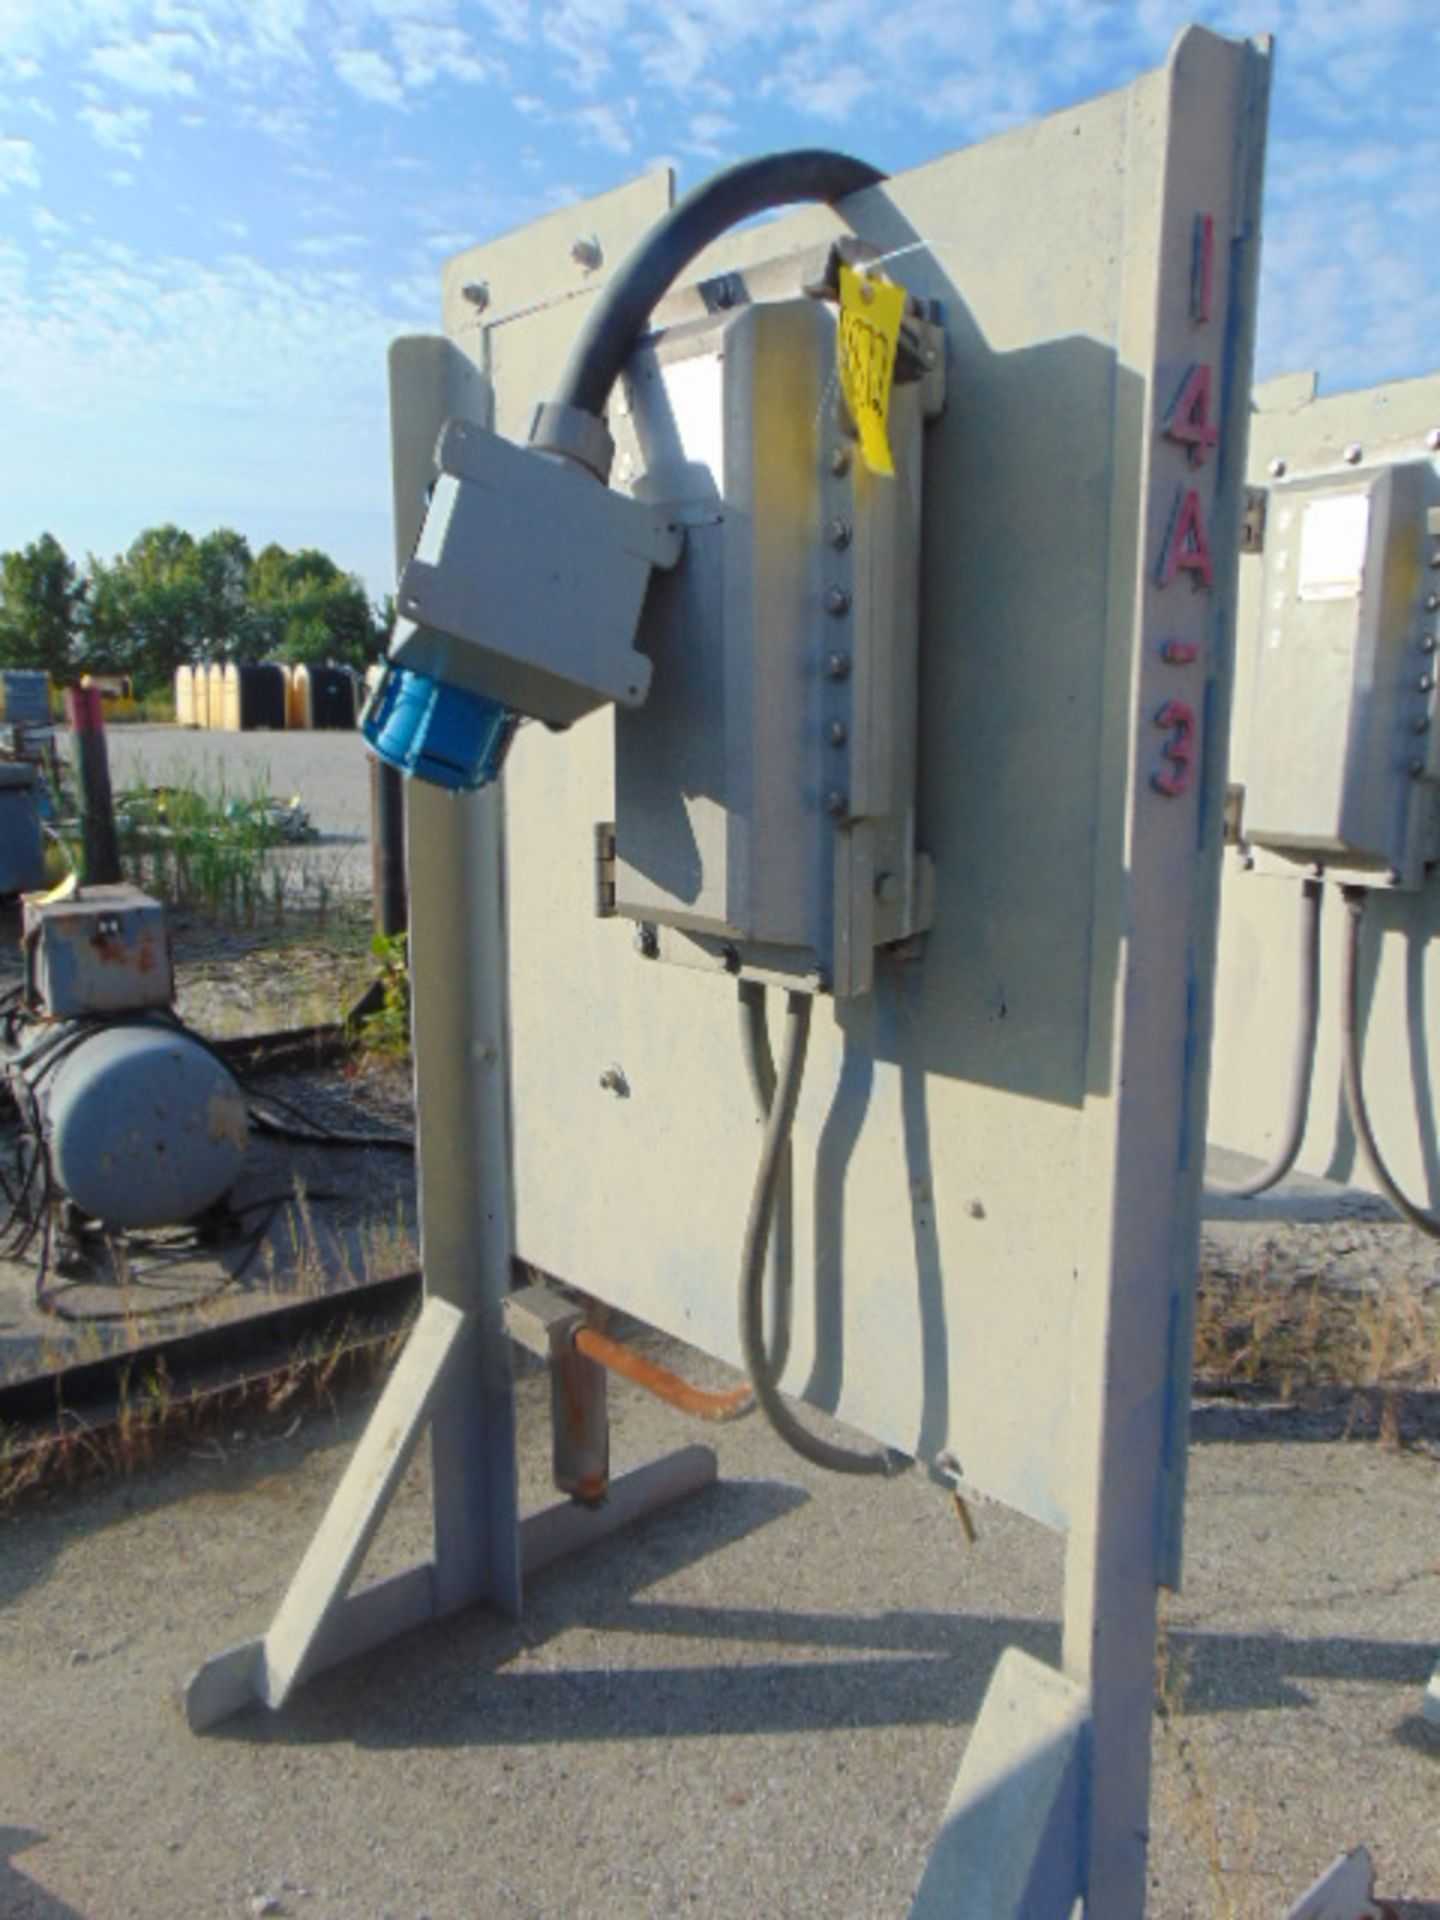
{"x":813,"y":665}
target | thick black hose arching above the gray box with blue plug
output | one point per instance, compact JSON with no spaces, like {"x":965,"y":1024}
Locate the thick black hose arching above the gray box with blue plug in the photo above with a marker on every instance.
{"x":704,"y":216}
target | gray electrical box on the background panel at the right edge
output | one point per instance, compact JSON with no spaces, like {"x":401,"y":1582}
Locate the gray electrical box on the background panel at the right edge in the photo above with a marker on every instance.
{"x":1345,"y":754}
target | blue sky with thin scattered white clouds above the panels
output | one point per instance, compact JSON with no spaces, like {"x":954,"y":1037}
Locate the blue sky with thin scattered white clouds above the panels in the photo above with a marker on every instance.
{"x":216,"y":214}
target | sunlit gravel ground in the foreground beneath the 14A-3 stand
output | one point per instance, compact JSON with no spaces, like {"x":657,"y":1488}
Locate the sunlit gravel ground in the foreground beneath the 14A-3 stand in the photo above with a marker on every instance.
{"x":752,"y":1706}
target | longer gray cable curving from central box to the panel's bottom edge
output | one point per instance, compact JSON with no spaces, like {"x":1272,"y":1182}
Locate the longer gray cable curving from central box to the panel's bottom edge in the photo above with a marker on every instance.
{"x":754,"y":1260}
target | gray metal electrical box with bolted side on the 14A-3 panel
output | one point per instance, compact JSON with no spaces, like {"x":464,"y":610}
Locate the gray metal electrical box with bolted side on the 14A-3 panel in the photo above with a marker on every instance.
{"x":765,"y":792}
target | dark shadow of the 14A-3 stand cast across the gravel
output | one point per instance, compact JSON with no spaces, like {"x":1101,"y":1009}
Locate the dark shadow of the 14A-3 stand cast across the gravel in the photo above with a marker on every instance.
{"x":479,"y":1681}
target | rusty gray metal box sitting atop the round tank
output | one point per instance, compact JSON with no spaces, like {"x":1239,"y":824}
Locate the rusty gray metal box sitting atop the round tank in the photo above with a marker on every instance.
{"x":101,"y":951}
